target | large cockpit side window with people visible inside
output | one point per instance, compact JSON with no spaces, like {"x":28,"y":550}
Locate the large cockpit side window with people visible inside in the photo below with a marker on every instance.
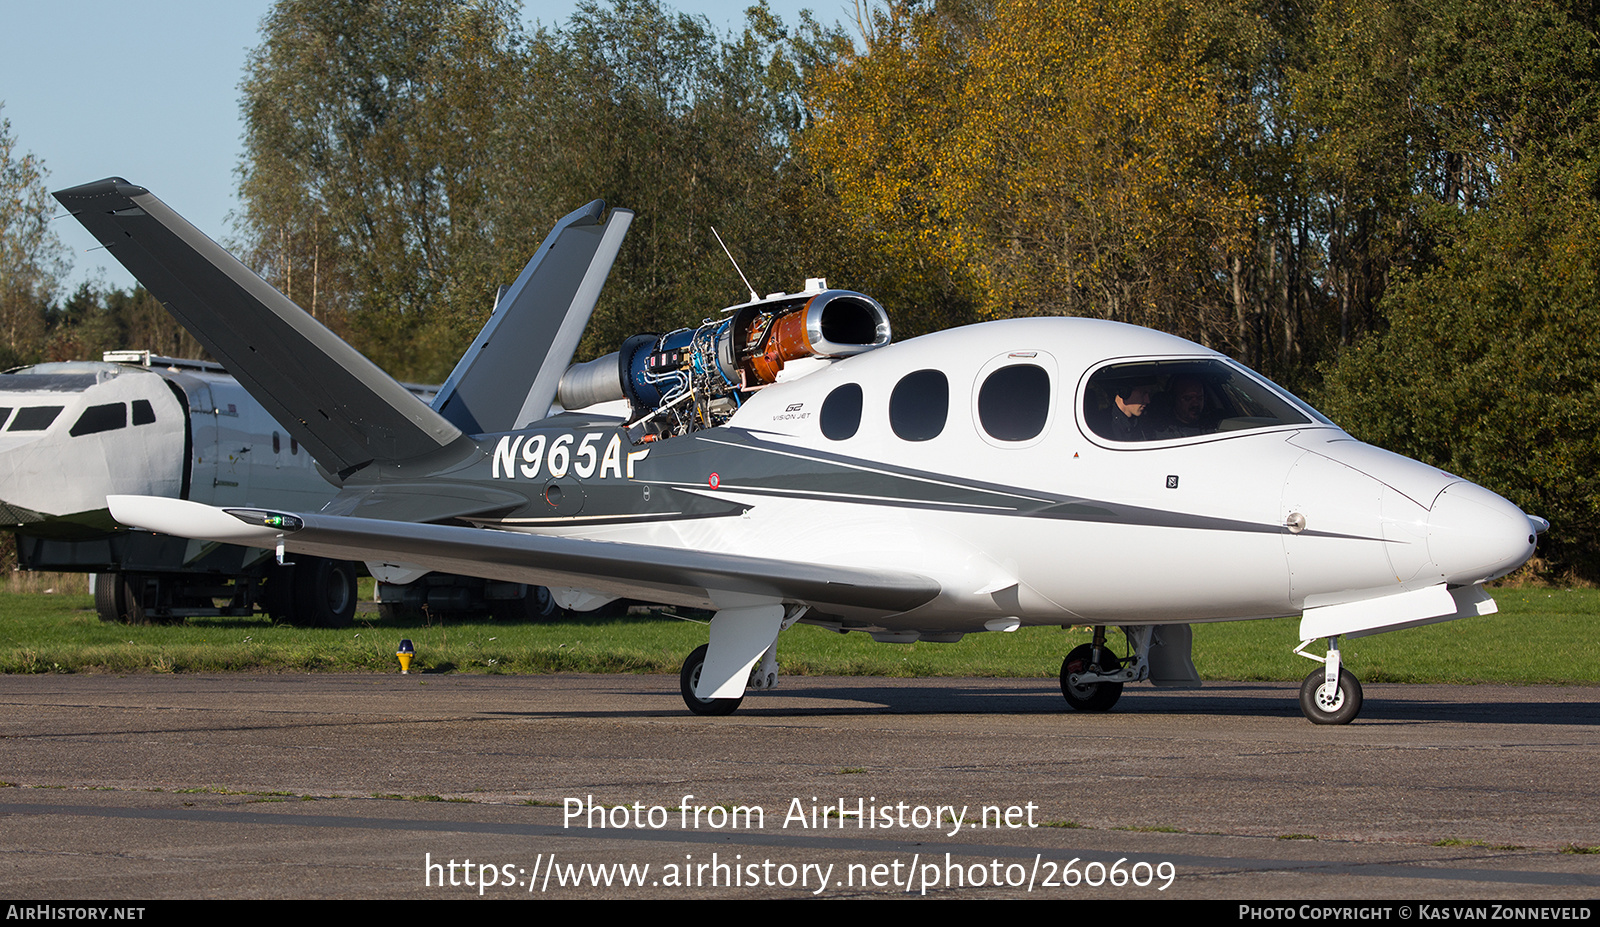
{"x":1177,"y":399}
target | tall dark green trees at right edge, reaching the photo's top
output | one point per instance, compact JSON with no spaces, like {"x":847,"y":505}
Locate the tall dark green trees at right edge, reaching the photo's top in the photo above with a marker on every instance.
{"x":1489,"y":364}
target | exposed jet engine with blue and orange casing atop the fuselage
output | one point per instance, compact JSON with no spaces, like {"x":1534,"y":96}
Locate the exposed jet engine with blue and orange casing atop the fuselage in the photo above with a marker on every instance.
{"x":695,"y":379}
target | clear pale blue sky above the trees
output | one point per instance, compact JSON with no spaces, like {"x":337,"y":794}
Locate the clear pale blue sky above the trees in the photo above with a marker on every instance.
{"x":150,"y":92}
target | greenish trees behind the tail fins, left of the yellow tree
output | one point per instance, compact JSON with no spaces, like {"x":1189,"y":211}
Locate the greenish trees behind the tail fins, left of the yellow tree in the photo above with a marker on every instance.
{"x":404,"y":159}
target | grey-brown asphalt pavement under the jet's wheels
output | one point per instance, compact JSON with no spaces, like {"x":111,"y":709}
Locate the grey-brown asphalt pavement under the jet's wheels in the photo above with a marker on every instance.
{"x":604,"y":787}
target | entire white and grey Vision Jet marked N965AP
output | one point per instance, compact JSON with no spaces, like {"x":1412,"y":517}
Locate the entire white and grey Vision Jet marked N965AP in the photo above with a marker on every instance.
{"x":786,"y":462}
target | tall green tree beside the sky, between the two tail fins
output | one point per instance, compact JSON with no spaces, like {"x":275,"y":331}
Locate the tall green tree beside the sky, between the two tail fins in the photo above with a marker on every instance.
{"x":370,"y":156}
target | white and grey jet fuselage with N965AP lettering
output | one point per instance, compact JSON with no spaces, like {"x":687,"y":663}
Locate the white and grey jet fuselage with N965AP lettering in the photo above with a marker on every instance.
{"x":1047,"y":523}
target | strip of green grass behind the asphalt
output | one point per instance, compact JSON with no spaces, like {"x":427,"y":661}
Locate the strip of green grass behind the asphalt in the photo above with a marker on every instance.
{"x":1540,"y":636}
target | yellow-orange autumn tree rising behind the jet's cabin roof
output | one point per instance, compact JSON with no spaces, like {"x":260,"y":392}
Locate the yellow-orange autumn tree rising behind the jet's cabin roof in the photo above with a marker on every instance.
{"x":1039,"y":158}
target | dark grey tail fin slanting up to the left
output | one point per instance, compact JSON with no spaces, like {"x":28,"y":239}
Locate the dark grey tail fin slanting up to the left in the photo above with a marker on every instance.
{"x":337,"y":403}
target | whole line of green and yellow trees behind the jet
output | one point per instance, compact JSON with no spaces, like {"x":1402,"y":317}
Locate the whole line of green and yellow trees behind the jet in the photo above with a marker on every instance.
{"x":1388,"y":206}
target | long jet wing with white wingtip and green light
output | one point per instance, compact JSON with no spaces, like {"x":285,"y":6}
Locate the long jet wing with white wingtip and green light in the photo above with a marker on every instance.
{"x":673,"y":576}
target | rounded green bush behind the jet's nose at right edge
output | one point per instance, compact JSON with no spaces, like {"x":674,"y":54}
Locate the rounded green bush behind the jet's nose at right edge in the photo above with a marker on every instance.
{"x":1489,"y":367}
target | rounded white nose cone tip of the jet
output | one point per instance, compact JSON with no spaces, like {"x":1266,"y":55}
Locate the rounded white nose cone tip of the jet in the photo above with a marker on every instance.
{"x":1476,"y":536}
